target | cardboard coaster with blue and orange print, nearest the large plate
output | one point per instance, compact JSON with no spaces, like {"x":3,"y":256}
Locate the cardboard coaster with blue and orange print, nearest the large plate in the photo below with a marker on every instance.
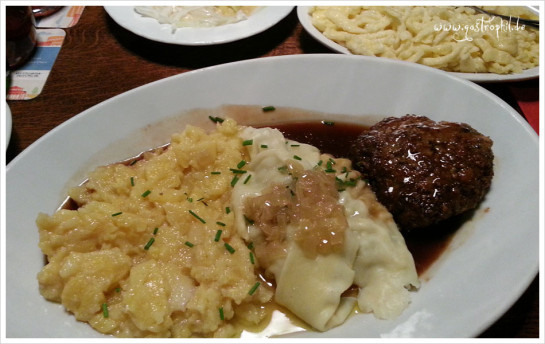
{"x":28,"y":81}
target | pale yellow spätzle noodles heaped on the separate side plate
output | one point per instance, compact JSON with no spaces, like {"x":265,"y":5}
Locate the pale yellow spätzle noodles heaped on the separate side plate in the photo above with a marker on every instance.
{"x":455,"y":39}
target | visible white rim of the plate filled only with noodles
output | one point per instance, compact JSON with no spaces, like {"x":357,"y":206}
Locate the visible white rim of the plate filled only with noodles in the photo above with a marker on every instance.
{"x":304,"y":18}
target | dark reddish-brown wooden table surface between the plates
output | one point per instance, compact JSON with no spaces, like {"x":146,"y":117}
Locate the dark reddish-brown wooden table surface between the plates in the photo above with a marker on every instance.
{"x":99,"y":60}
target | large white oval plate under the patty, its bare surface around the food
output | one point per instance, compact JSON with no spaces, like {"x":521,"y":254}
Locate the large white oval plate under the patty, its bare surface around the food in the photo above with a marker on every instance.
{"x":489,"y":265}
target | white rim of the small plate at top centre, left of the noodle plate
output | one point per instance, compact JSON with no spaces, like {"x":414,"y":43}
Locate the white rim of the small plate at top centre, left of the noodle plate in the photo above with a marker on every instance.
{"x":150,"y":28}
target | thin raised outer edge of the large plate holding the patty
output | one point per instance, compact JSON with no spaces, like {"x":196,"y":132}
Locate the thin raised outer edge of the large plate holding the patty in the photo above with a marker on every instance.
{"x":520,"y":285}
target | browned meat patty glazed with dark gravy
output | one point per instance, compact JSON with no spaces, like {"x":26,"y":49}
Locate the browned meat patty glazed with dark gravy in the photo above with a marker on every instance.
{"x":425,"y":171}
